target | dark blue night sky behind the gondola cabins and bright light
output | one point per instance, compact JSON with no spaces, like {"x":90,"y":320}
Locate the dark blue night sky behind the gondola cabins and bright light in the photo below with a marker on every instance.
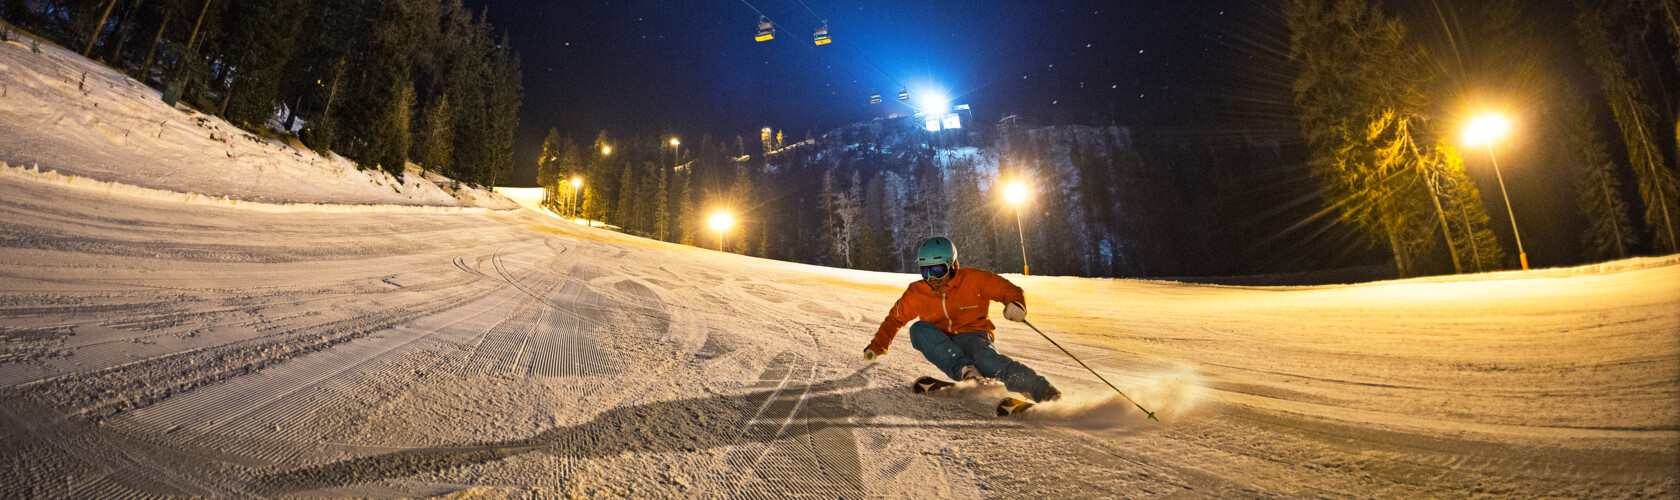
{"x":693,"y":68}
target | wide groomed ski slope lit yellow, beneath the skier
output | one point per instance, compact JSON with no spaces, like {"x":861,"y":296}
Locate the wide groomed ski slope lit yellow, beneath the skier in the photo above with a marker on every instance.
{"x":155,"y":348}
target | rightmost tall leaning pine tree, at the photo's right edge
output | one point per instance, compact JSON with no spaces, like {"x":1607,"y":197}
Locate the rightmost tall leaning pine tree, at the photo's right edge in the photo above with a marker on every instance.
{"x":1659,"y":187}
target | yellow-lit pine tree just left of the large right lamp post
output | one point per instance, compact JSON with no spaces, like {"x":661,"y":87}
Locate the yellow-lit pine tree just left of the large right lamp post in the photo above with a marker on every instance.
{"x":1360,"y":93}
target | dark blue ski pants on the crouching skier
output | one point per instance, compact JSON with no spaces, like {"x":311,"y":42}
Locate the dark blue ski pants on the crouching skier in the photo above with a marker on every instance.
{"x":953,"y":353}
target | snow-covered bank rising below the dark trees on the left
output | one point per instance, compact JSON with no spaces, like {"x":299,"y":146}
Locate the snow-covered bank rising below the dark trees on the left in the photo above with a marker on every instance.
{"x":60,"y":113}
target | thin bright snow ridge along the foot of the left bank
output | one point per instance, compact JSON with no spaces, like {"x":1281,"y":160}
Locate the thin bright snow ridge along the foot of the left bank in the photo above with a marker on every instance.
{"x":196,"y":199}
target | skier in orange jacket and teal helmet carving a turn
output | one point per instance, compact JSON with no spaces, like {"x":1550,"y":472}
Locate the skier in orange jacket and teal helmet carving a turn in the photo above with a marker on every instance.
{"x":955,"y":333}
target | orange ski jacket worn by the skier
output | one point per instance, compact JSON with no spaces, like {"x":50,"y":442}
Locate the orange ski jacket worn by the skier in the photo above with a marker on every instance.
{"x":960,"y":308}
